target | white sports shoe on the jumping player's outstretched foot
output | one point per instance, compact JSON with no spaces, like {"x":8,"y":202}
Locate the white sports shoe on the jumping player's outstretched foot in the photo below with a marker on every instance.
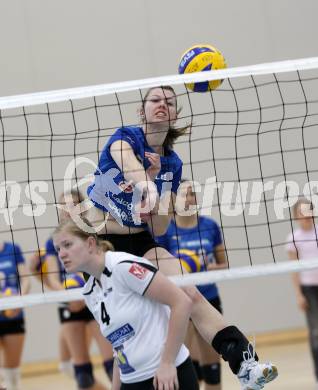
{"x":254,"y":375}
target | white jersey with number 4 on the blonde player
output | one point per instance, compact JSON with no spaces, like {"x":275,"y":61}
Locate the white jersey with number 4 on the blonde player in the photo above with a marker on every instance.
{"x":135,"y":325}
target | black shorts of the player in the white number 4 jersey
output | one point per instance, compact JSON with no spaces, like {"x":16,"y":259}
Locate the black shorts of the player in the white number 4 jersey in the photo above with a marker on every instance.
{"x":186,"y":376}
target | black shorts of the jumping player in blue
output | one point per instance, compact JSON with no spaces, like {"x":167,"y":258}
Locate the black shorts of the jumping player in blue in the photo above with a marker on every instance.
{"x":136,"y":244}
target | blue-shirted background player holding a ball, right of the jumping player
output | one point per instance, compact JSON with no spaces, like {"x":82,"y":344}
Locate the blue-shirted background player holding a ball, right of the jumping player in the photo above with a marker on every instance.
{"x":198,"y":242}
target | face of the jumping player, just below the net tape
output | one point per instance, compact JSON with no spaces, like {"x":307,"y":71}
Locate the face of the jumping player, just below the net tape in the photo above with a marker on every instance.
{"x":160,"y":107}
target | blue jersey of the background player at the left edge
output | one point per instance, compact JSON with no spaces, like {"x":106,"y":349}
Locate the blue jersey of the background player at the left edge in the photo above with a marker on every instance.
{"x":10,"y":257}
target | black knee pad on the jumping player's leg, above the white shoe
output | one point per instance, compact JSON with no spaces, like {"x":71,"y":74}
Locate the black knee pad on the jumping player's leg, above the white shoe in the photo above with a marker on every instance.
{"x":231,"y":343}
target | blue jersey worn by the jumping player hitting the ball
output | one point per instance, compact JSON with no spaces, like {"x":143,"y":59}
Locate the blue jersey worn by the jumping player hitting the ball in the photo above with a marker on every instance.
{"x":111,"y":193}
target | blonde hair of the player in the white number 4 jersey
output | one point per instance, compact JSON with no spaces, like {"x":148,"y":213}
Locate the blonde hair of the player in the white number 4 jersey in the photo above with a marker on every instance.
{"x":70,"y":226}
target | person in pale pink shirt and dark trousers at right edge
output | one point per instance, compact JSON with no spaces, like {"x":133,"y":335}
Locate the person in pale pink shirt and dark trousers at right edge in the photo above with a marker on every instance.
{"x":302,"y":243}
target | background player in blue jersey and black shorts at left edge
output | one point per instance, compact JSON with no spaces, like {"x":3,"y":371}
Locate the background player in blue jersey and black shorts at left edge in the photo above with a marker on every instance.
{"x":13,"y":281}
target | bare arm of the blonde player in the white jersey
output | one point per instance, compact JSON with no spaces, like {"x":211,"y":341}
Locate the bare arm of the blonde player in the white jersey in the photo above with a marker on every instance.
{"x":161,"y":289}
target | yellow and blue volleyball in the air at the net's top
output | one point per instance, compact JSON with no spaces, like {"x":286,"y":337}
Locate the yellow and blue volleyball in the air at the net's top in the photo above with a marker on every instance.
{"x":200,"y":58}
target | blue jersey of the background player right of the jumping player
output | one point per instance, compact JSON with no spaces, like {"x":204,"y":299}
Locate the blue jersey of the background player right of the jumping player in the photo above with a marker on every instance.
{"x":202,"y":239}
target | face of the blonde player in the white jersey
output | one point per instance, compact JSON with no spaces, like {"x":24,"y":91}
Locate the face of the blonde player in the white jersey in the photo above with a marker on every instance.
{"x":72,"y":251}
